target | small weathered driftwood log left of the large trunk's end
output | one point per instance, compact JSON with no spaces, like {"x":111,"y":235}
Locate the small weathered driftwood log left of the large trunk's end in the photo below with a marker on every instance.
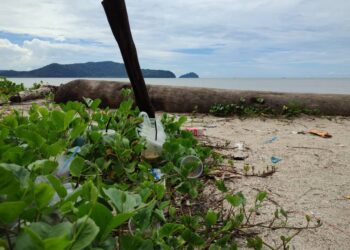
{"x":28,"y":95}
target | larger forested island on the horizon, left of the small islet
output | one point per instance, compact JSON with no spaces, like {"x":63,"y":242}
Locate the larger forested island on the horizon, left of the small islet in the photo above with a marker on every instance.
{"x":90,"y":69}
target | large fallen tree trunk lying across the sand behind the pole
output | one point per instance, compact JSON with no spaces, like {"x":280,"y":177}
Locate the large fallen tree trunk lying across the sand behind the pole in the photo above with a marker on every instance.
{"x":188,"y":99}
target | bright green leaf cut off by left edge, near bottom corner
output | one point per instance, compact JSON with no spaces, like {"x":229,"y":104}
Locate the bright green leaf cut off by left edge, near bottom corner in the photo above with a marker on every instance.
{"x":10,"y":211}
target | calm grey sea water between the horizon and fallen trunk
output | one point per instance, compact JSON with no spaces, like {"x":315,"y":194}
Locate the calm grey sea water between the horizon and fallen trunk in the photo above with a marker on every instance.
{"x":298,"y":85}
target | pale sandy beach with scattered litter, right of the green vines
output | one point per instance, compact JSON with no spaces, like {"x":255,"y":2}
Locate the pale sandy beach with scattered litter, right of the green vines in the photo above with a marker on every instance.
{"x":311,"y":178}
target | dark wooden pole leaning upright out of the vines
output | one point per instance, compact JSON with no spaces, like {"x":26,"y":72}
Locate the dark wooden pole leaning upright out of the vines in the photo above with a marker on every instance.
{"x":117,"y":16}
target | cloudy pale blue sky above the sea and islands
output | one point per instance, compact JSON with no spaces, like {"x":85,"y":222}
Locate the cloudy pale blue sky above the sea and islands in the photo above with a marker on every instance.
{"x":220,"y":38}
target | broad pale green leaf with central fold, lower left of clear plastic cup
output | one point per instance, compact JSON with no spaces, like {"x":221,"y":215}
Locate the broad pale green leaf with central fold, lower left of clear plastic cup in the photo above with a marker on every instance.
{"x":123,"y":201}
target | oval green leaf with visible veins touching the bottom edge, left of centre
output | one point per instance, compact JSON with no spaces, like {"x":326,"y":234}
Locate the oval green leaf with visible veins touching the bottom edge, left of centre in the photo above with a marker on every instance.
{"x":85,"y":233}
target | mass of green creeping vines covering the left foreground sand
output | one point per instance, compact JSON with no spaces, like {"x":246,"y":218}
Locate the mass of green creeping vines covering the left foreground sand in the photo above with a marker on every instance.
{"x":110,"y":199}
